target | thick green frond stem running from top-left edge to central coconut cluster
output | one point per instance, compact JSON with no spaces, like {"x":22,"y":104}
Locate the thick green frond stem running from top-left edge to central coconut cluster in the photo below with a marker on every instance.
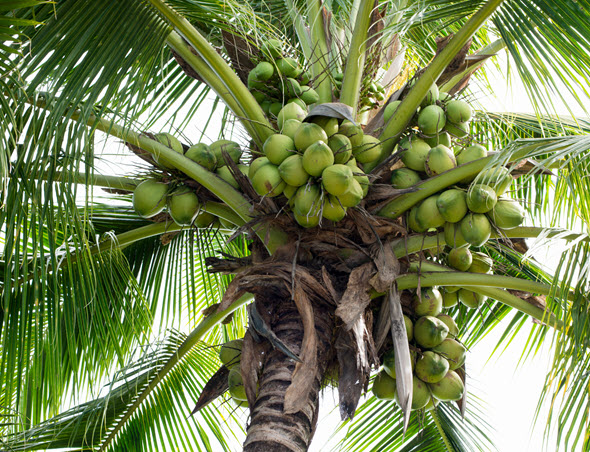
{"x":253,"y":114}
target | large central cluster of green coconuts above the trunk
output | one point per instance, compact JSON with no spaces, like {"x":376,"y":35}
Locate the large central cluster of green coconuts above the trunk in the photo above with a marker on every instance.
{"x":315,"y":165}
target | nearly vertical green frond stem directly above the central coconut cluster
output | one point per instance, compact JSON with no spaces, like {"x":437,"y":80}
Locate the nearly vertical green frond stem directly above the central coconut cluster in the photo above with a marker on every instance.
{"x":320,"y":62}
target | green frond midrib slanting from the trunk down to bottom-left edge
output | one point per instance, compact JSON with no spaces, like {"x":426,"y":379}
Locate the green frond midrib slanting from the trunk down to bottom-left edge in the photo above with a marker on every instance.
{"x":193,"y":338}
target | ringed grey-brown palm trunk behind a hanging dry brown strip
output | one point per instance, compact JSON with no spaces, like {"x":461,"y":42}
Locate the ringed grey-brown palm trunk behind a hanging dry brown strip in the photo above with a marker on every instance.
{"x":270,"y":429}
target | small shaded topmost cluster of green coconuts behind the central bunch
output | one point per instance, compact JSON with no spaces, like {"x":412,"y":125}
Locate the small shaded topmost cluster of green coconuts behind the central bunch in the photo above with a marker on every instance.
{"x":278,"y":80}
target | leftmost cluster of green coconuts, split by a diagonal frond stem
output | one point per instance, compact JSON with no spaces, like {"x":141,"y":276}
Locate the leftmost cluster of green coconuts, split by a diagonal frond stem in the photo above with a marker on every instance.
{"x":151,"y":197}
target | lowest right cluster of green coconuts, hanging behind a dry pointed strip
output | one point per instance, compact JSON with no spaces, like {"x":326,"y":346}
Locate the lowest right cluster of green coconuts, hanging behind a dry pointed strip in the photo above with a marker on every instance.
{"x":435,"y":353}
